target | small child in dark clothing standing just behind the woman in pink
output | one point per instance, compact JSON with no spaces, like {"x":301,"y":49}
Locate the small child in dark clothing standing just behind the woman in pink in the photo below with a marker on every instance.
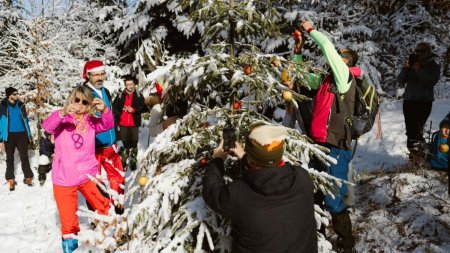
{"x":46,"y":150}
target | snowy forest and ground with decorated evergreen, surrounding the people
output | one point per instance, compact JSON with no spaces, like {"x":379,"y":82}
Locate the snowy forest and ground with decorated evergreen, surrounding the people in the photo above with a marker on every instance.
{"x":228,"y":60}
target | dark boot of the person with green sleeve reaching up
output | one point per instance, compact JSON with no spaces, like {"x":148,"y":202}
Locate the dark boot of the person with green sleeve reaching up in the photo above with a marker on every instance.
{"x":343,"y":227}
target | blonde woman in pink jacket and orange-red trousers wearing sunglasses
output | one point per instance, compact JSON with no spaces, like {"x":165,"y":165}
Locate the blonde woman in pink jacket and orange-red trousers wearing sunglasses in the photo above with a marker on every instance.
{"x":74,"y":162}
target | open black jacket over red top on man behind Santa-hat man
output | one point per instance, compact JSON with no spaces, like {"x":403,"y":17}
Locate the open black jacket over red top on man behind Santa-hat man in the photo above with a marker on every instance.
{"x":137,"y":103}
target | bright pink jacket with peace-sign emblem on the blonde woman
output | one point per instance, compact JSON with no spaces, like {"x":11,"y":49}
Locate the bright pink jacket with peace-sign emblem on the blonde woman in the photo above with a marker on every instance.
{"x":74,"y":157}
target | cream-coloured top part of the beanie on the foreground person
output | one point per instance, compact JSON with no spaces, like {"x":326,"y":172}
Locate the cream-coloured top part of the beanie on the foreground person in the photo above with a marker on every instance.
{"x":266,"y":134}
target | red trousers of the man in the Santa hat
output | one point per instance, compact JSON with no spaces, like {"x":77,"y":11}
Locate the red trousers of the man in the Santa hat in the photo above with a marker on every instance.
{"x":110,"y":160}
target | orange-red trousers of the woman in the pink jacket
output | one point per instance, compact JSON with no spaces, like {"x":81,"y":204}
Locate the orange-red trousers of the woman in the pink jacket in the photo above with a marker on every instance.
{"x":66,"y":198}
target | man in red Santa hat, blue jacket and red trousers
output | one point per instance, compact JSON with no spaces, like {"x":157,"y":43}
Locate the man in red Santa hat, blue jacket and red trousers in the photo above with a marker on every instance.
{"x":107,"y":150}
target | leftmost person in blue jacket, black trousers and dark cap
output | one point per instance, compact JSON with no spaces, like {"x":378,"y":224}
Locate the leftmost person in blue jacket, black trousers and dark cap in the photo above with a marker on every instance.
{"x":15,"y":133}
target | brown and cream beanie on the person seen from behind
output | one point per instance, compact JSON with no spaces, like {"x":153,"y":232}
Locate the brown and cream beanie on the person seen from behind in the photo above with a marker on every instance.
{"x":265,"y":145}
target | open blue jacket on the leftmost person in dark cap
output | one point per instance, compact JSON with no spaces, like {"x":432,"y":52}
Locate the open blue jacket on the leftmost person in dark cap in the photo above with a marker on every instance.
{"x":4,"y":119}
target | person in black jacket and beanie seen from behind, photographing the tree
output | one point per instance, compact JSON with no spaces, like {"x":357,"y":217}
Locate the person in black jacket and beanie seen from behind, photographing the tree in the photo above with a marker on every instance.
{"x":271,"y":207}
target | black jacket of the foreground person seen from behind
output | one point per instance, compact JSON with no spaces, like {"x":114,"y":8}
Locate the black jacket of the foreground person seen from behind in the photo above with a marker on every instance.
{"x":271,"y":209}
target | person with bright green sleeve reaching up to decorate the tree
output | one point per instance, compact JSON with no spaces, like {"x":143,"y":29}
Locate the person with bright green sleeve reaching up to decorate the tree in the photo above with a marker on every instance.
{"x":330,"y":126}
